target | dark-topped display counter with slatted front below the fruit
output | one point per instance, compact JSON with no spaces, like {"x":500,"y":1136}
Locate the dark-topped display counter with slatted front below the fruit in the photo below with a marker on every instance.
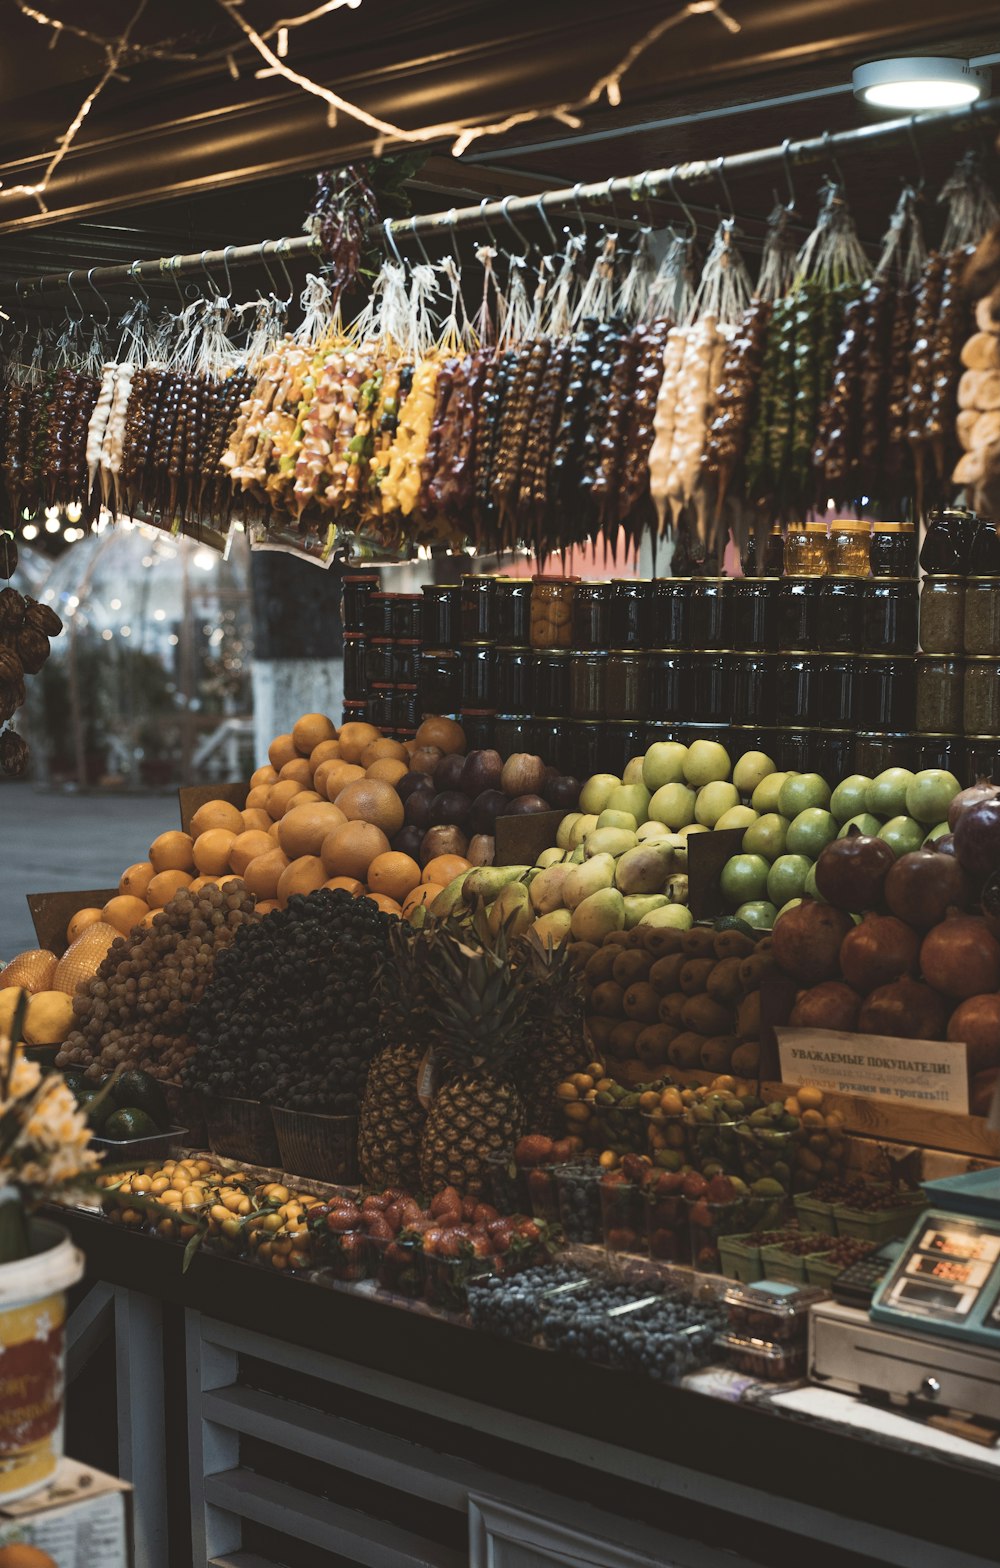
{"x":328,"y":1426}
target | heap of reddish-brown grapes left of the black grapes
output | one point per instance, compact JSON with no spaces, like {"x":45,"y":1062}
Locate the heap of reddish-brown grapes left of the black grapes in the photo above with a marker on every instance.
{"x":136,"y":1011}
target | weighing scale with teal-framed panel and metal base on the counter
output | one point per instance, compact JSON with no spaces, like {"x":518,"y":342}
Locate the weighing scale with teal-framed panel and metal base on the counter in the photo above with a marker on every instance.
{"x":933,"y":1335}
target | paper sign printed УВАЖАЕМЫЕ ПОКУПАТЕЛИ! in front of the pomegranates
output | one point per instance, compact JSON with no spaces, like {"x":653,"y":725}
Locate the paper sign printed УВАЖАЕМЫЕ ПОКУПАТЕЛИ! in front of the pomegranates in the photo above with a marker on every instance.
{"x":930,"y":1073}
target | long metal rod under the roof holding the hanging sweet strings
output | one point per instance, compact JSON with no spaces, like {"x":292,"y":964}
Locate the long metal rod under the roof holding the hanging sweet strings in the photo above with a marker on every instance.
{"x":648,"y":186}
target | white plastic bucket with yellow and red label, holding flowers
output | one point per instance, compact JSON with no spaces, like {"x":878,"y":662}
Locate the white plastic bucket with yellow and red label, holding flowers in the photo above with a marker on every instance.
{"x":34,"y":1360}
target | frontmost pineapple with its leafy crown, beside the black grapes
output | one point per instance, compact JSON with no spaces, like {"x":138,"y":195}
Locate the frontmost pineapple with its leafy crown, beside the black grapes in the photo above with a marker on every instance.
{"x":482,"y":1012}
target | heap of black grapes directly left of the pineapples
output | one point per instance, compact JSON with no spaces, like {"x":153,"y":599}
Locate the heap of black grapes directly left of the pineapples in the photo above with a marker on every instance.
{"x":289,"y":1015}
